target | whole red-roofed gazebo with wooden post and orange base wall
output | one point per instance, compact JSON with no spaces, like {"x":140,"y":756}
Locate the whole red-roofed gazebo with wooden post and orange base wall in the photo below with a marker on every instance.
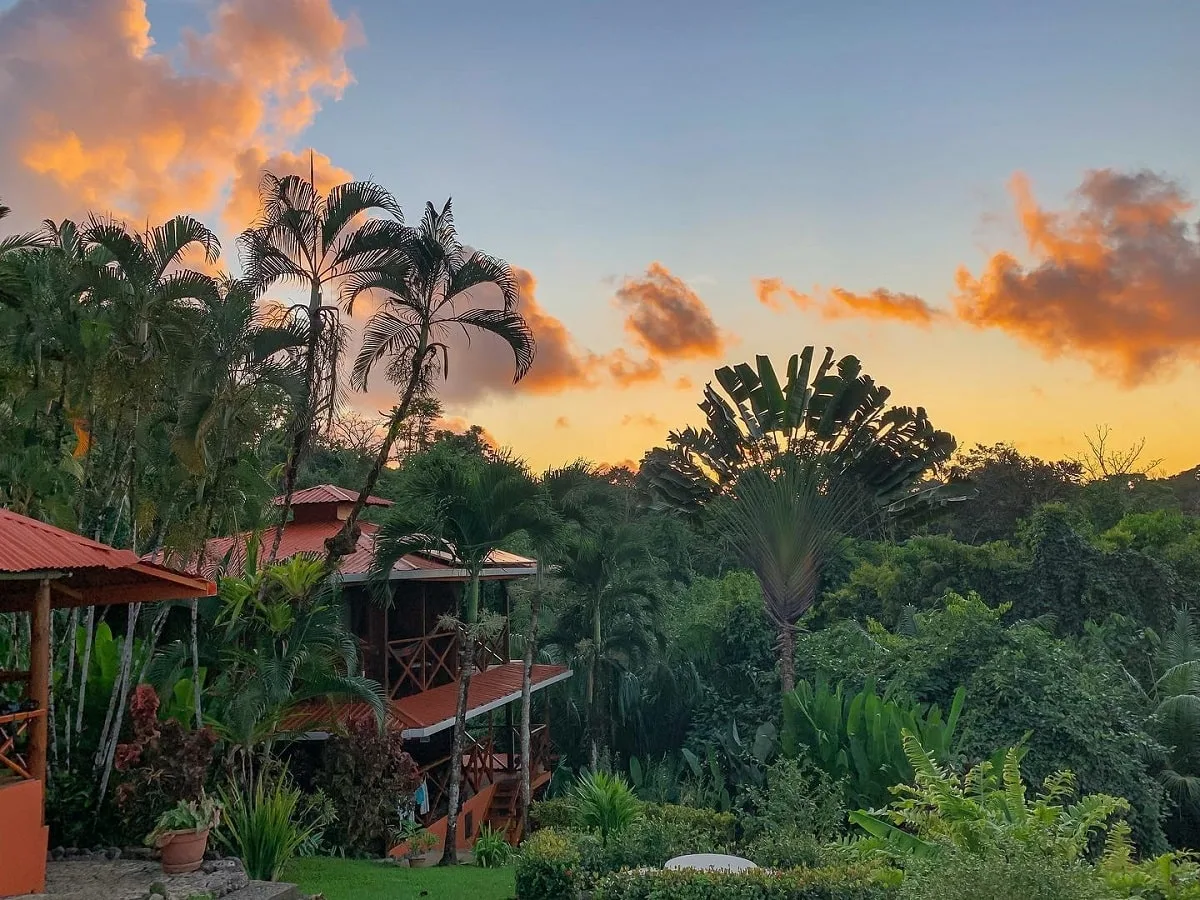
{"x":43,"y":569}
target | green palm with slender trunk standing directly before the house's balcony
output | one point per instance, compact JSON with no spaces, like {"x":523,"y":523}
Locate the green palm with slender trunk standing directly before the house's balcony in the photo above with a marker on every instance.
{"x":465,"y":507}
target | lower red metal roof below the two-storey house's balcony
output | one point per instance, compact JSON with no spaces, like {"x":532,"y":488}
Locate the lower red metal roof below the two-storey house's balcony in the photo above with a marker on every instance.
{"x":431,"y":711}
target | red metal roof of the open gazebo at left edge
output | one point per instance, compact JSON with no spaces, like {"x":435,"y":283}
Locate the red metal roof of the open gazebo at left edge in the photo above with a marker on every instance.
{"x":82,"y":572}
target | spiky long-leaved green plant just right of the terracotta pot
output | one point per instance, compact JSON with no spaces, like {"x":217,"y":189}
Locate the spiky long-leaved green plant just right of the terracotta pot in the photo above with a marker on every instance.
{"x":267,"y":827}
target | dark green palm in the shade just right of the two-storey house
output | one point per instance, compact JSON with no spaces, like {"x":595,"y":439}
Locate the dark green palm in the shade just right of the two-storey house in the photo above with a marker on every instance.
{"x":611,"y":616}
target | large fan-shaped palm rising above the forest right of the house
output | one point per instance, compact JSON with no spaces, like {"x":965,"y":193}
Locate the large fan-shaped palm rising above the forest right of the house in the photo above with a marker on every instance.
{"x":841,"y":452}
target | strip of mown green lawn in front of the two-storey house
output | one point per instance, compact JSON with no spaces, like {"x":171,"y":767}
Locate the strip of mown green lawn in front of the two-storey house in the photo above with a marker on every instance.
{"x":367,"y":880}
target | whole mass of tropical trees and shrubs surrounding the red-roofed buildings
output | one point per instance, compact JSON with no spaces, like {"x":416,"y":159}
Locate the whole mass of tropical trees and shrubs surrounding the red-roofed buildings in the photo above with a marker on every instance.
{"x":806,"y":632}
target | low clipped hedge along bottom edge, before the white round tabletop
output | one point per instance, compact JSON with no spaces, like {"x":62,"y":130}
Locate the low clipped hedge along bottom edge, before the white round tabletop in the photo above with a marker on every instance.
{"x":847,"y":884}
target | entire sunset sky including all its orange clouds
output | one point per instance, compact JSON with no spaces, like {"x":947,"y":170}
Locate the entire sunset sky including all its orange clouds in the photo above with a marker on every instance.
{"x":992,"y":205}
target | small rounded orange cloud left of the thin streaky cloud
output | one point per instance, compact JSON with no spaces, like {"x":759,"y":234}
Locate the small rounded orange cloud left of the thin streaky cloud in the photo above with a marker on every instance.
{"x":668,"y":317}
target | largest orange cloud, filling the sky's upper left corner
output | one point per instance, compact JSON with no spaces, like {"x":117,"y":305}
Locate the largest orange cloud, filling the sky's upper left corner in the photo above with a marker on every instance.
{"x":99,"y":119}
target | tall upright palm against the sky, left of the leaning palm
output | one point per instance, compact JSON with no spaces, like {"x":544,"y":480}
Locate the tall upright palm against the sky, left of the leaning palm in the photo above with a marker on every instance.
{"x":307,"y":241}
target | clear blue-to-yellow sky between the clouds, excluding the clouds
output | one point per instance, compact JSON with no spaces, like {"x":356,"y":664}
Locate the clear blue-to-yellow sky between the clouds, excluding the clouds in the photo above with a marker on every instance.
{"x":854,"y":145}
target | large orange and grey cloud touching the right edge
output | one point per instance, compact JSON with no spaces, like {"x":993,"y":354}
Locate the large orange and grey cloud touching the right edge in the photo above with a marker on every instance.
{"x":1115,"y":279}
